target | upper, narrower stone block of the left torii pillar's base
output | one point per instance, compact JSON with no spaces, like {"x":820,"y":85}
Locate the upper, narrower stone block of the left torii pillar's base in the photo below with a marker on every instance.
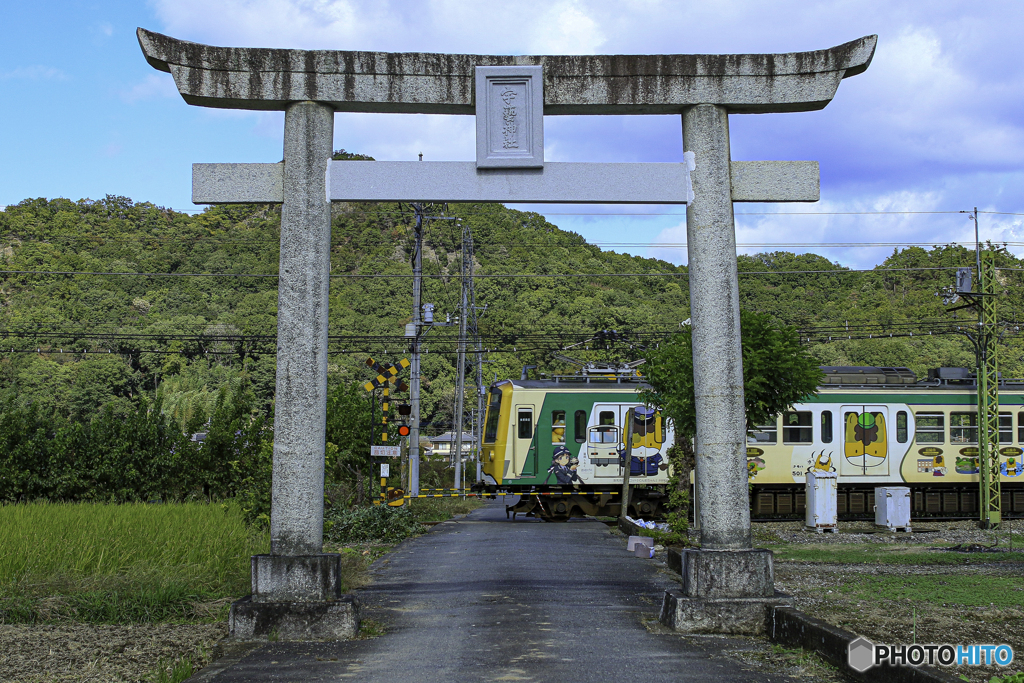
{"x":296,"y":578}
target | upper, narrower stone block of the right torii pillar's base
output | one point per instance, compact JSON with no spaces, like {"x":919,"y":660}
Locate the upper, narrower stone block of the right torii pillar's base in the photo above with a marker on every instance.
{"x":728,"y":574}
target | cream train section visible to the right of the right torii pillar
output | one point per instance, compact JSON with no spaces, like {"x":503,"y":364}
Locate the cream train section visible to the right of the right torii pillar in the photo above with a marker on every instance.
{"x":874,"y":426}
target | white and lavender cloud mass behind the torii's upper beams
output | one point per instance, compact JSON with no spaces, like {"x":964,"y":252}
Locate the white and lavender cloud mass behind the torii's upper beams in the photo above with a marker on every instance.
{"x":934,"y":124}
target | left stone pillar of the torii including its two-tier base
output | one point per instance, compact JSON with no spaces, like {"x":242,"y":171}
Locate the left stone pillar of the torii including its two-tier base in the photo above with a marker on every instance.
{"x":296,"y":590}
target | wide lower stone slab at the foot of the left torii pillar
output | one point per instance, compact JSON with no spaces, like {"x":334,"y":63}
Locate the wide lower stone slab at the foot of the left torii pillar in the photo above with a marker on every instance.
{"x":330,"y":620}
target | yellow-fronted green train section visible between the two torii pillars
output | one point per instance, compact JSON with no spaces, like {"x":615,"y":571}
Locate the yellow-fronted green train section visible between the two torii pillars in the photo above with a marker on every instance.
{"x":560,"y":444}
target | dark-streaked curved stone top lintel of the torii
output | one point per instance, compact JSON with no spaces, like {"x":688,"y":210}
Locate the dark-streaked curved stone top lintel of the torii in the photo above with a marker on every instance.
{"x":433,"y":83}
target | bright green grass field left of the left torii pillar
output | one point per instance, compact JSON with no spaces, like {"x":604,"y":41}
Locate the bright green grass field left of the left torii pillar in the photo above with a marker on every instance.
{"x":123,"y":564}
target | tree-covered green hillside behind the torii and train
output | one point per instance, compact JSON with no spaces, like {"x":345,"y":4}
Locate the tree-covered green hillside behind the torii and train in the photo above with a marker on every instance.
{"x":197,"y":311}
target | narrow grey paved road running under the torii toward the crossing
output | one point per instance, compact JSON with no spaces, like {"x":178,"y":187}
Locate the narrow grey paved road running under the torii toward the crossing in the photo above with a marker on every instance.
{"x":486,"y":600}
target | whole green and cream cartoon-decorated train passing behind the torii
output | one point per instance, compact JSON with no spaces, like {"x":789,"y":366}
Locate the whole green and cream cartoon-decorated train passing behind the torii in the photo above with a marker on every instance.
{"x":560,"y":444}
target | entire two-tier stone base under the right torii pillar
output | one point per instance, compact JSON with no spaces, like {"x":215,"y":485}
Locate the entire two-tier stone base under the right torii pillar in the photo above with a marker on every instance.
{"x":724,"y":591}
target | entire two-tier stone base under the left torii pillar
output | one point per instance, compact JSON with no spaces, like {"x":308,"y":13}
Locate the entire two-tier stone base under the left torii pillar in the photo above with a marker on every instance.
{"x":295,"y":597}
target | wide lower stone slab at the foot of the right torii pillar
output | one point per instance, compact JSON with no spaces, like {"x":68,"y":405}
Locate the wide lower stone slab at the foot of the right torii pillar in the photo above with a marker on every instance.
{"x":726,"y":616}
